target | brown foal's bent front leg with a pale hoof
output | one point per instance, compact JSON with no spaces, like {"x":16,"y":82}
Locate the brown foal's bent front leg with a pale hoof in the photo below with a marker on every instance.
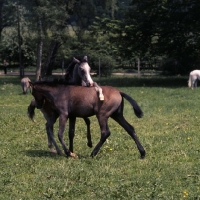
{"x":62,"y":124}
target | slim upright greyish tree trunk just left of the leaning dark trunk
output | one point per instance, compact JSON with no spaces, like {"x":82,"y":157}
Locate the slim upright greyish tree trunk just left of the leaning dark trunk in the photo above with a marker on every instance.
{"x":39,"y":50}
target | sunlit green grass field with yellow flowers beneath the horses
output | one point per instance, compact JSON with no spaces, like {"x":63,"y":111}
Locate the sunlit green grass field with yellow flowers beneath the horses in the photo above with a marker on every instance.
{"x":169,"y":131}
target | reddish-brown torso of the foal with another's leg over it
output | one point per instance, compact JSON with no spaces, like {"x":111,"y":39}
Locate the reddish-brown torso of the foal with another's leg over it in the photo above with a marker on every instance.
{"x":82,"y":101}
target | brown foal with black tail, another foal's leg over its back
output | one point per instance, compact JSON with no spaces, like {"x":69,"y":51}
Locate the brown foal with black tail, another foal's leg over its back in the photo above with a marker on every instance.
{"x":77,"y":101}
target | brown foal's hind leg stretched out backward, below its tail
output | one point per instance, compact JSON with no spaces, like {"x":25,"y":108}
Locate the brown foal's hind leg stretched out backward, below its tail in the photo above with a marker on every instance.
{"x":130,"y":130}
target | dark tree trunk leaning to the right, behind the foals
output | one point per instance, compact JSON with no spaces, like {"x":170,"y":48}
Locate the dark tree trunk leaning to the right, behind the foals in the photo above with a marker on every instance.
{"x":47,"y":68}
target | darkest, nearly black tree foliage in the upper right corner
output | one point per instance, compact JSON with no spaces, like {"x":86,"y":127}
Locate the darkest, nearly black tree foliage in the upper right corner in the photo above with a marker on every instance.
{"x":166,"y":28}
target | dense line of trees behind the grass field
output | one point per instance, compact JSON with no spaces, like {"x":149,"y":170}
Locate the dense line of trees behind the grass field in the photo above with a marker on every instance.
{"x":43,"y":33}
